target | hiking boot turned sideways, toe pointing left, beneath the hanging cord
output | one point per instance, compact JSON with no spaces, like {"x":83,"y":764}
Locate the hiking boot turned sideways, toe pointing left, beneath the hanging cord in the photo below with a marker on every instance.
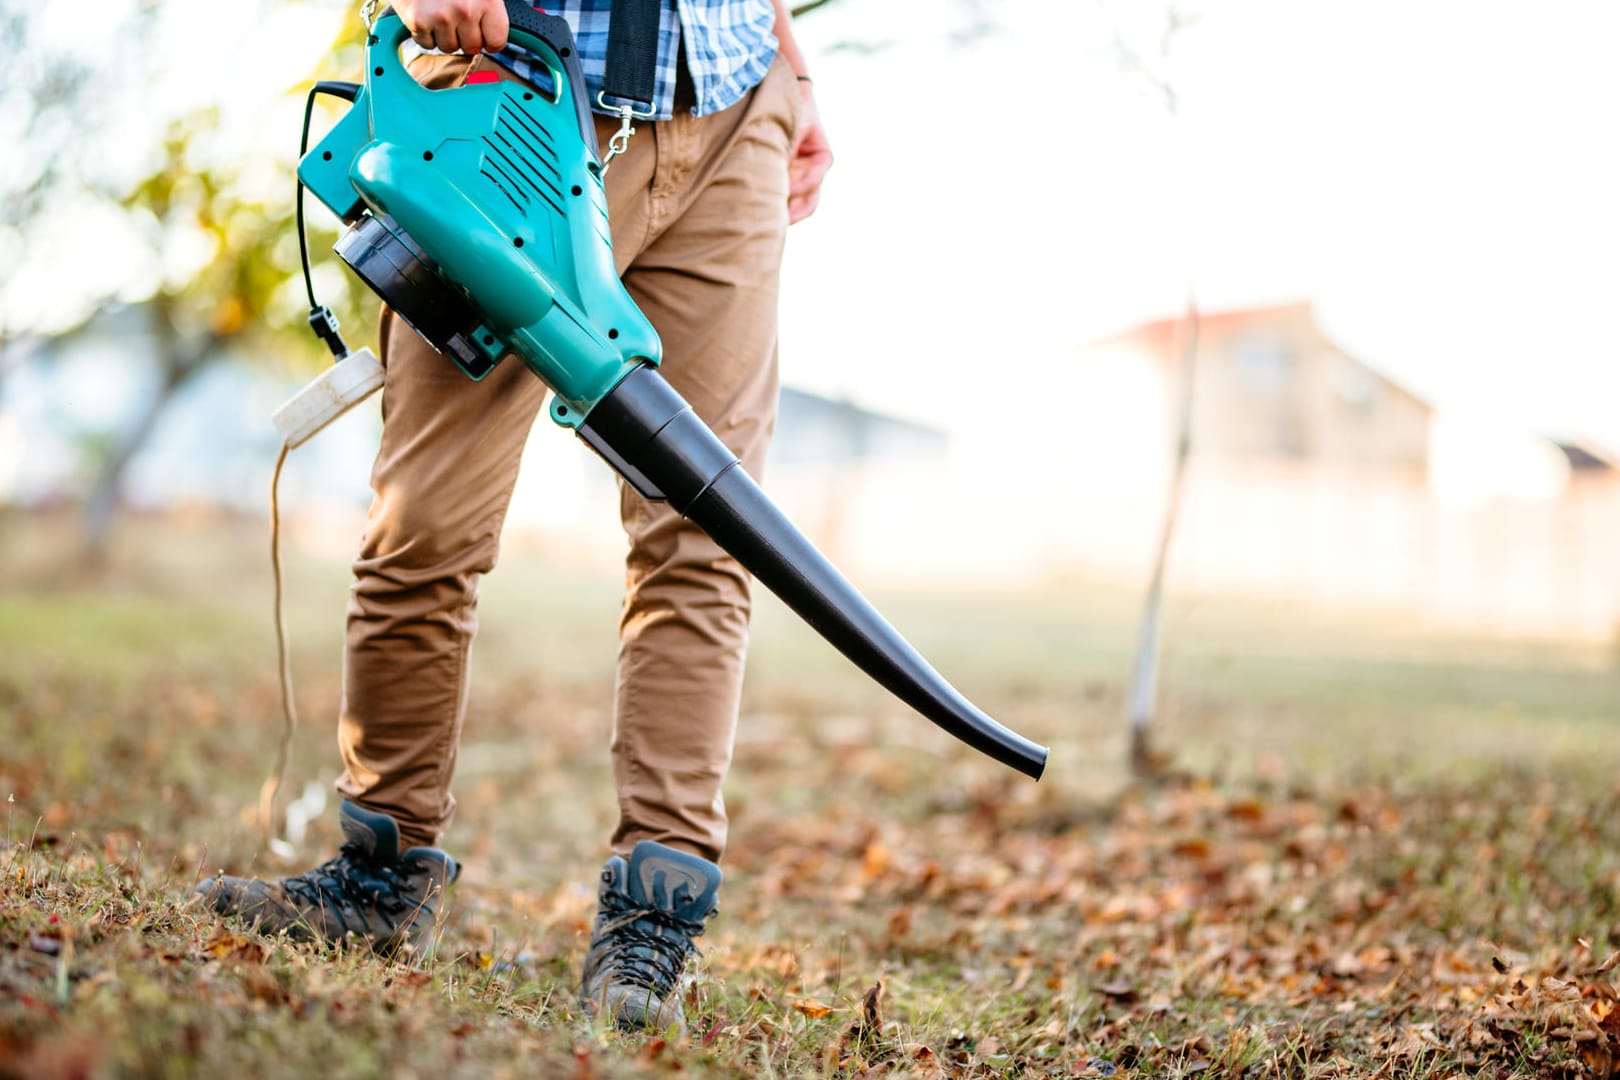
{"x":370,"y":890}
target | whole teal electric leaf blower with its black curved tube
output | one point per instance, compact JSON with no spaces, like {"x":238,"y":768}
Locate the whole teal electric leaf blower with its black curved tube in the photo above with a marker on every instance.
{"x":479,"y":215}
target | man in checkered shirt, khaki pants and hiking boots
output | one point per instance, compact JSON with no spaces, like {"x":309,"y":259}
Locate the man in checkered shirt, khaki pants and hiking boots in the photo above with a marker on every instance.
{"x":699,"y":206}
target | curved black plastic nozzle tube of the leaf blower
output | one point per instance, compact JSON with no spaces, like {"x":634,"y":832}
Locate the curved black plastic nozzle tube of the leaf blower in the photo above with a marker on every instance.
{"x":649,"y":433}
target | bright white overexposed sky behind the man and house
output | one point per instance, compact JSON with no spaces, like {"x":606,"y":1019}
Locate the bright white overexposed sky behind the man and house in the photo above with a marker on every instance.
{"x":1441,"y":179}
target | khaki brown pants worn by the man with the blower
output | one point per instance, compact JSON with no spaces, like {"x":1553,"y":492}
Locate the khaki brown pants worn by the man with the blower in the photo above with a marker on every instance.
{"x":699,"y":211}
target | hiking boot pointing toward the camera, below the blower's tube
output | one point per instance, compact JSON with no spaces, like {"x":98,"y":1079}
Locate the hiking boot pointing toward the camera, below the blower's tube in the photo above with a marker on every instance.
{"x":647,"y":914}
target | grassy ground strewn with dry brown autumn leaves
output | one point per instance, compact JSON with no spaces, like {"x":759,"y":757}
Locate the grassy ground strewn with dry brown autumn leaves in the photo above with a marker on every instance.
{"x":1376,"y":849}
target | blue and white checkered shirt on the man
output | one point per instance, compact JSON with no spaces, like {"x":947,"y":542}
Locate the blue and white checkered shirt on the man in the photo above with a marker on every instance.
{"x":728,"y":45}
